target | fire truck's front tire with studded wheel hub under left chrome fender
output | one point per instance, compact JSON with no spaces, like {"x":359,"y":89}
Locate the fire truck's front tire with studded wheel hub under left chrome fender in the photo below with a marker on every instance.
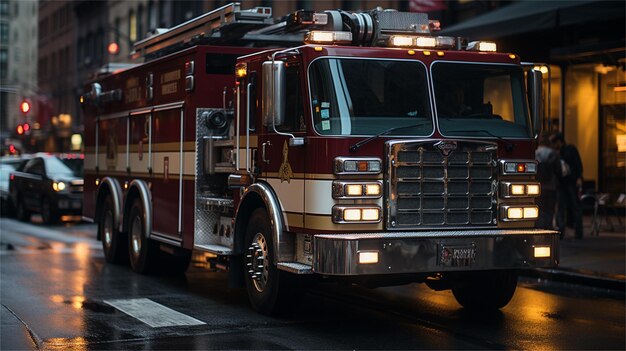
{"x":266,"y":285}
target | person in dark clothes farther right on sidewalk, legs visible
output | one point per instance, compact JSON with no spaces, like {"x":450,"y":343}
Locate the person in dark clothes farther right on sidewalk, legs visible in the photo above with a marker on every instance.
{"x":570,"y":183}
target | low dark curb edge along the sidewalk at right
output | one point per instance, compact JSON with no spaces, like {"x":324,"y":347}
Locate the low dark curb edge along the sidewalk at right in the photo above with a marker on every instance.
{"x":581,"y":277}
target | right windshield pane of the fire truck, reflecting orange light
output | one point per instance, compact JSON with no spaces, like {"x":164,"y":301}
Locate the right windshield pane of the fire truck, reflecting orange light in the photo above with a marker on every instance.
{"x":480,"y":100}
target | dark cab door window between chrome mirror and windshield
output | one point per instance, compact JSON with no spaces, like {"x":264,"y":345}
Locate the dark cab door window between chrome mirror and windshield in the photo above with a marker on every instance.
{"x":294,"y":109}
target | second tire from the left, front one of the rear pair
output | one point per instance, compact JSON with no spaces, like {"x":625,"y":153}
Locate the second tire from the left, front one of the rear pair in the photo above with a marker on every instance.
{"x":143,"y":252}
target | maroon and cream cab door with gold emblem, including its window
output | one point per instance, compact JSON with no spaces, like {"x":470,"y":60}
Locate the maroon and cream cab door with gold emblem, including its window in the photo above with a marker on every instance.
{"x":282,"y":163}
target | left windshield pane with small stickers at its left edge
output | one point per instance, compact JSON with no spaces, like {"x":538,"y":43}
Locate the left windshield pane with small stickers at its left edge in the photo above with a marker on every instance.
{"x":366,"y":97}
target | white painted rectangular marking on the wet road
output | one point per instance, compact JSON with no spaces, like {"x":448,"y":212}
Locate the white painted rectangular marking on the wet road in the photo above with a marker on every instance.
{"x":152,"y":313}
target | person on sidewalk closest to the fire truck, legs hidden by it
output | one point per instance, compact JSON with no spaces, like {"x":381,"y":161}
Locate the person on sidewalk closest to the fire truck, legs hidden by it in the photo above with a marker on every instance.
{"x":548,"y":174}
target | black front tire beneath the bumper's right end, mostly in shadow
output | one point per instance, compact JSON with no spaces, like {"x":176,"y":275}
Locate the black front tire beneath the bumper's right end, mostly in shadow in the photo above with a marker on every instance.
{"x":489,"y":290}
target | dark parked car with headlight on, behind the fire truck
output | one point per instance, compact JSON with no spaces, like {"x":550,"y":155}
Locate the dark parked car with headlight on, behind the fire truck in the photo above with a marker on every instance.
{"x":46,"y":185}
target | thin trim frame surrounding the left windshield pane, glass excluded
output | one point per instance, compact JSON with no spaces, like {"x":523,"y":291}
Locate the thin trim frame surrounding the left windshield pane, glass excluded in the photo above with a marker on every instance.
{"x":428,"y":86}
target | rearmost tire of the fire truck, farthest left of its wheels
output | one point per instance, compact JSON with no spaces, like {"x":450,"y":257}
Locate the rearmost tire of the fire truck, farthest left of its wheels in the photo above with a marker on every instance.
{"x":113,"y":242}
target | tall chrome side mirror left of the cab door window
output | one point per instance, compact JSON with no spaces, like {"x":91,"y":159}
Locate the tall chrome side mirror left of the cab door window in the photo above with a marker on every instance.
{"x":273,"y":93}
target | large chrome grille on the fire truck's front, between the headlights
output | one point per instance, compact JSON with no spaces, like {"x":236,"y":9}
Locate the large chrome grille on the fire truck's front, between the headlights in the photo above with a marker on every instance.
{"x":428,"y":187}
